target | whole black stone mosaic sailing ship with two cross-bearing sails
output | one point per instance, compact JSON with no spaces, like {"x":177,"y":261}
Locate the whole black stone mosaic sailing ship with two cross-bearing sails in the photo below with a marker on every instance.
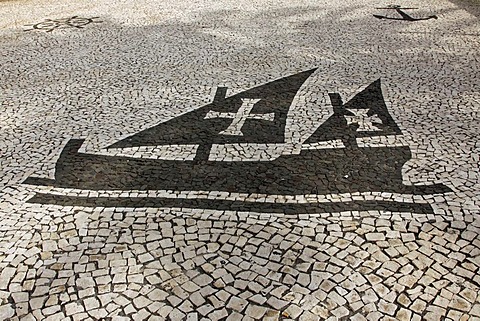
{"x":177,"y":164}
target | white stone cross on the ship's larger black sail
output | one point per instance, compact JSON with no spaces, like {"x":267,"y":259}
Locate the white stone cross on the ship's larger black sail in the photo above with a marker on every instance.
{"x":239,"y":118}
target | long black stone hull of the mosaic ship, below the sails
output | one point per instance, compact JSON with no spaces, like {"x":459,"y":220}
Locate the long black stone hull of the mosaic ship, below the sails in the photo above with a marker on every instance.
{"x":323,"y":171}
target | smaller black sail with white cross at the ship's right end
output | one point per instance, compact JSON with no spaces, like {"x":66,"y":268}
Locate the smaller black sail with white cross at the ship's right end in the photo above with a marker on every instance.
{"x":365,"y":115}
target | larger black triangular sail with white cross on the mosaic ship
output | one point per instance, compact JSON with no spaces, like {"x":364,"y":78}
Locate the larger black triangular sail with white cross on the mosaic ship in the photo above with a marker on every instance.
{"x":257,"y":115}
